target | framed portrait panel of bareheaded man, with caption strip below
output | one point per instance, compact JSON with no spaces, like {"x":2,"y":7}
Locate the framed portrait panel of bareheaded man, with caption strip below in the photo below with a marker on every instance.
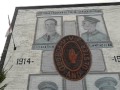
{"x":48,"y":32}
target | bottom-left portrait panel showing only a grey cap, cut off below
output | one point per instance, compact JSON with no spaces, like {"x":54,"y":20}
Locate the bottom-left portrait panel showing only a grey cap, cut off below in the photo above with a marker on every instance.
{"x":45,"y":82}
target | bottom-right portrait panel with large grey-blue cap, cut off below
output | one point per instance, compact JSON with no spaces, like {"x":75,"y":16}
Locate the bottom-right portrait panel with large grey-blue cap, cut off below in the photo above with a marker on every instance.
{"x":103,"y":81}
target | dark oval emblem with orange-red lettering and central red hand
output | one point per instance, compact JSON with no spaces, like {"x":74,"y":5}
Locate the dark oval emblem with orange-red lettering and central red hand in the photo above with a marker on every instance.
{"x":72,"y":57}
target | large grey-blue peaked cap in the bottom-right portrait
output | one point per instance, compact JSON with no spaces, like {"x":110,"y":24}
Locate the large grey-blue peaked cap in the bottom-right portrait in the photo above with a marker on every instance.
{"x":106,"y":82}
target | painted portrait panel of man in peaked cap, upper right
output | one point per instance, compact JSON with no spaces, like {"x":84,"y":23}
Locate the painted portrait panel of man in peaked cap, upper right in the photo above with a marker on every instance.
{"x":93,"y":29}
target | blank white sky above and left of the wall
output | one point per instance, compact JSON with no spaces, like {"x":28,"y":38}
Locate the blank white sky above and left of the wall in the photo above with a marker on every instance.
{"x":7,"y":7}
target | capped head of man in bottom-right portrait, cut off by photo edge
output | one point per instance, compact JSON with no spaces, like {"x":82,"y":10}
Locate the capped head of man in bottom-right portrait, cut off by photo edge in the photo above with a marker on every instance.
{"x":106,"y":83}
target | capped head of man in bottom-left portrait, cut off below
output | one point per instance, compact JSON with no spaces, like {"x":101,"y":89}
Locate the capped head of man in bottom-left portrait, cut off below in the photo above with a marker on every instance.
{"x":47,"y":85}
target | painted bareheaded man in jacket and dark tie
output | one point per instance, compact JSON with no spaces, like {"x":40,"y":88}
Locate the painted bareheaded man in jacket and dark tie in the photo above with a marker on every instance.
{"x":51,"y":36}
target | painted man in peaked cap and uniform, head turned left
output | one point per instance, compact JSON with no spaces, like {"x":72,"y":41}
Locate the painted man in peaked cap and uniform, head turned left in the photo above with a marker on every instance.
{"x":92,"y":34}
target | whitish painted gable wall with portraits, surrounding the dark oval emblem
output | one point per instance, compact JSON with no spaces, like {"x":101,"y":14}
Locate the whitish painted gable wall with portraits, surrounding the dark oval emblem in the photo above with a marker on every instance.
{"x":36,"y":33}
